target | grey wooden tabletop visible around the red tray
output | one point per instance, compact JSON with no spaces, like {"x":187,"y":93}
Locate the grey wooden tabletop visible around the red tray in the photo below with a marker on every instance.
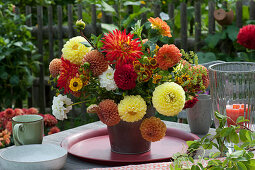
{"x":75,"y":163}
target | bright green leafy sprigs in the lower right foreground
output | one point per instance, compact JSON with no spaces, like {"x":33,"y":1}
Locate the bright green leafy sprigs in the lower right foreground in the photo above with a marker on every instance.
{"x":241,"y":158}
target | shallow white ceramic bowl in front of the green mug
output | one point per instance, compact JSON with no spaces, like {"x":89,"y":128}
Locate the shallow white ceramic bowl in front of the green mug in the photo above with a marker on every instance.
{"x":32,"y":157}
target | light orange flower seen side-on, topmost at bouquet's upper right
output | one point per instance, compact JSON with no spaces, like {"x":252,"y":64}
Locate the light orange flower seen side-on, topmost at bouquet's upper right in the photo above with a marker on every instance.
{"x":161,"y":26}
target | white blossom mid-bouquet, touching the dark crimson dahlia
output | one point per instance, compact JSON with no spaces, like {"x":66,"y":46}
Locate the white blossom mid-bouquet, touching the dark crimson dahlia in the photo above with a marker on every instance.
{"x":107,"y":80}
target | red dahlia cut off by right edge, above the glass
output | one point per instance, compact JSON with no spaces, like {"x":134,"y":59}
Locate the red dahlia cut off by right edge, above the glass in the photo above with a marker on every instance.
{"x":246,"y":36}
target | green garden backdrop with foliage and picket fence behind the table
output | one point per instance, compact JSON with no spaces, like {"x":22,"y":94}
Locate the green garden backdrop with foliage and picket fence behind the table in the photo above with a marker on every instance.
{"x":33,"y":33}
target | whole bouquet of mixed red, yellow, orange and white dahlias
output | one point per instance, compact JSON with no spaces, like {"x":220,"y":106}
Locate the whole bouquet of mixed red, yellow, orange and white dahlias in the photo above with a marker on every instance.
{"x":120,"y":74}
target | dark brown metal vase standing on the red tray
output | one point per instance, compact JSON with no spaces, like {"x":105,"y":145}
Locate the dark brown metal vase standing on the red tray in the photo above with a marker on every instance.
{"x":126,"y":138}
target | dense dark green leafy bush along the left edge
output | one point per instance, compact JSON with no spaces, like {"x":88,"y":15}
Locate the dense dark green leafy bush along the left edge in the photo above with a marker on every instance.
{"x":15,"y":47}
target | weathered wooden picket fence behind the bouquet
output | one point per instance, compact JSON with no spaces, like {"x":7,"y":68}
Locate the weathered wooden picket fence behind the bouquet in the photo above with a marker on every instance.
{"x":41,"y":92}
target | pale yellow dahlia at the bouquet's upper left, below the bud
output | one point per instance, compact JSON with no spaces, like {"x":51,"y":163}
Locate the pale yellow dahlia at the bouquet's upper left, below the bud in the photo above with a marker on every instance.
{"x":74,"y":50}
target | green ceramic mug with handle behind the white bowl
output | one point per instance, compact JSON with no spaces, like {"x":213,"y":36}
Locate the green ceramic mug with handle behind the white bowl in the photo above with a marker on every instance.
{"x":27,"y":129}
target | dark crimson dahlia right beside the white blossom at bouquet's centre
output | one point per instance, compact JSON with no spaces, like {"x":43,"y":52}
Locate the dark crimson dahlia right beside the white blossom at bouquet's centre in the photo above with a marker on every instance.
{"x":125,"y":77}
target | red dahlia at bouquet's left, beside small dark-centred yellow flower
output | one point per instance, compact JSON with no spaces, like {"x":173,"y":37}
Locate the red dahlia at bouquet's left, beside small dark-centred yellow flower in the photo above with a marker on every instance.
{"x":67,"y":72}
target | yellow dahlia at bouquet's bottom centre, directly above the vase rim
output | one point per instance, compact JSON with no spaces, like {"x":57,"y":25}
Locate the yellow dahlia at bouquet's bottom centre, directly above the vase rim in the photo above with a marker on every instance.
{"x":132,"y":108}
